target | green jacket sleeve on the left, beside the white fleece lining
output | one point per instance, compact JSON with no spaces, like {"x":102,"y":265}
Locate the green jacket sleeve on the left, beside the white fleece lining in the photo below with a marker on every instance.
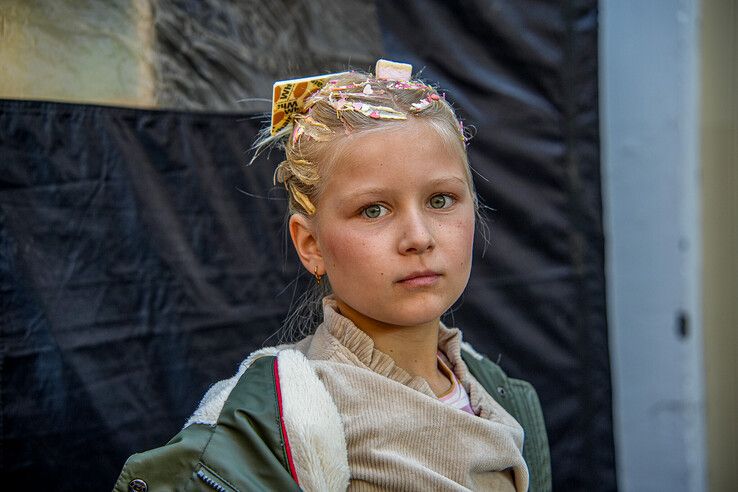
{"x":243,"y":451}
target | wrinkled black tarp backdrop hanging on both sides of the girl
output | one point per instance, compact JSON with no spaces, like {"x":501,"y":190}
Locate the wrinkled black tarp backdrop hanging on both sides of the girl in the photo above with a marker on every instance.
{"x":134,"y":273}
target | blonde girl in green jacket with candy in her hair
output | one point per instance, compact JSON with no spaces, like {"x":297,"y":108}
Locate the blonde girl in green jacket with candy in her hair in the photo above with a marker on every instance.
{"x":381,"y":395}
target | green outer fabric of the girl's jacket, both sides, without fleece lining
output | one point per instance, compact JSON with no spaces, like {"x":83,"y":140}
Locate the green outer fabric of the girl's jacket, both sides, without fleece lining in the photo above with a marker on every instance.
{"x":244,"y":446}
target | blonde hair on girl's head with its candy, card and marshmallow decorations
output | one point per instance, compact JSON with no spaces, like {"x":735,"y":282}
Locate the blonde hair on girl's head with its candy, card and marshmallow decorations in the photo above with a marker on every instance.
{"x":343,"y":105}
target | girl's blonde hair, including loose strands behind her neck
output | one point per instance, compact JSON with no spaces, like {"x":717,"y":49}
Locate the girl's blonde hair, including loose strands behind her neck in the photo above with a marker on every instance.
{"x":352,"y":103}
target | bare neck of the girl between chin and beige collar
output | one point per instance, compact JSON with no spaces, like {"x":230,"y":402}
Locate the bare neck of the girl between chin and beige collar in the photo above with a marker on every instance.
{"x":413,"y":348}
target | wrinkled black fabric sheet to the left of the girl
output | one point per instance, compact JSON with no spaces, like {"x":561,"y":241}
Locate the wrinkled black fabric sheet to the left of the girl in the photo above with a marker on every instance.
{"x":133,"y":274}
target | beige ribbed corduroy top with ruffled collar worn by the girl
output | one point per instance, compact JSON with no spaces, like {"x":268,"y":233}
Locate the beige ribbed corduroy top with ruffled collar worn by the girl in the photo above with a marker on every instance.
{"x":399,"y":436}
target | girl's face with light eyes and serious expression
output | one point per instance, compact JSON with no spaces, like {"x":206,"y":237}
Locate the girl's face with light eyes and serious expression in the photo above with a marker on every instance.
{"x":395,"y":225}
